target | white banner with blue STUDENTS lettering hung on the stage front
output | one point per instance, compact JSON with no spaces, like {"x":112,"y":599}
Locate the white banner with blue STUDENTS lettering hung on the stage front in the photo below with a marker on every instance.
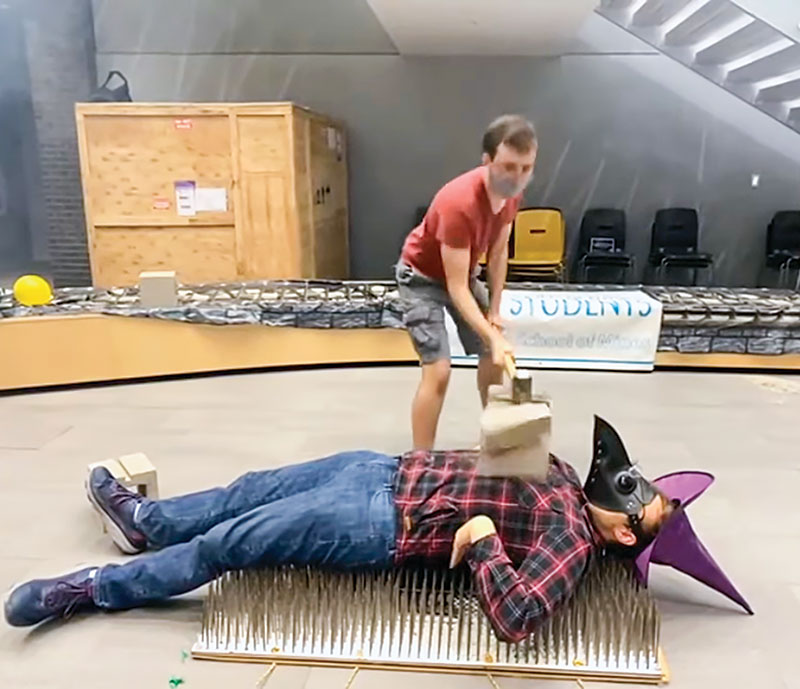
{"x":576,"y":330}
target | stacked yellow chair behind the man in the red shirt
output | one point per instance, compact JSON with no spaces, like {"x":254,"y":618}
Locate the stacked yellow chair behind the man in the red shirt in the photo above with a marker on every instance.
{"x":539,"y":239}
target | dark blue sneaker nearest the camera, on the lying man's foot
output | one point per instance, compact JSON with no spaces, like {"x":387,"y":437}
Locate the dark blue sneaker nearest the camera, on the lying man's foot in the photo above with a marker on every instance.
{"x":41,"y":599}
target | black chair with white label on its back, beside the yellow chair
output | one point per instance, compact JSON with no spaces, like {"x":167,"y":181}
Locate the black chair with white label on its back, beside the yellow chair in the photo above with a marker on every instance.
{"x":602,"y":243}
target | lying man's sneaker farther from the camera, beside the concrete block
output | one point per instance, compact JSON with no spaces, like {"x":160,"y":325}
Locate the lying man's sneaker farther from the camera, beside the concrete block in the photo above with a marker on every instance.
{"x":116,"y":506}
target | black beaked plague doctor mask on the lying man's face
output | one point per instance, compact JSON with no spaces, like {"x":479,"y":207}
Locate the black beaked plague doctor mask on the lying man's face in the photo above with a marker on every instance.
{"x":614,"y":483}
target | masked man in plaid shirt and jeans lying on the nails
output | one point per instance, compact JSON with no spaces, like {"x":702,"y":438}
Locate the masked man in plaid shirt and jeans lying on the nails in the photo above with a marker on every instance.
{"x":527,"y":544}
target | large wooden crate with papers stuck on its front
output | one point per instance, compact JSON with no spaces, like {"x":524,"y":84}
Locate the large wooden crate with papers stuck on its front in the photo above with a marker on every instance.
{"x":282,"y":166}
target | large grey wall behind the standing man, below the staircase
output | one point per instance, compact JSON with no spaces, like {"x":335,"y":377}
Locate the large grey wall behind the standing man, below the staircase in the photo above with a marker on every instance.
{"x":613,"y":134}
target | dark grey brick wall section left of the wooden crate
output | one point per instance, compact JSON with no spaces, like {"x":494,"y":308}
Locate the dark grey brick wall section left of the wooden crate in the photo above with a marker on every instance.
{"x":61,"y":60}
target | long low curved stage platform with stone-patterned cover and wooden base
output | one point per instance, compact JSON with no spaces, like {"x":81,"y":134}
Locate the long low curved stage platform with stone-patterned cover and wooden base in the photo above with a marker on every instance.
{"x":89,"y":335}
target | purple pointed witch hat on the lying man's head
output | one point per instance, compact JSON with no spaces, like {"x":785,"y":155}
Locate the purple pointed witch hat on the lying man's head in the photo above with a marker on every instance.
{"x":678,"y":546}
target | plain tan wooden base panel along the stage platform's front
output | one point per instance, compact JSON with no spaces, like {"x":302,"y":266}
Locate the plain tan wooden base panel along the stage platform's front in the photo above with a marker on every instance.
{"x":64,"y":350}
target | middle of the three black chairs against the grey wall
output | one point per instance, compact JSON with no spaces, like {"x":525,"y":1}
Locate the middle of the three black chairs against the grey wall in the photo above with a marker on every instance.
{"x":674,"y":243}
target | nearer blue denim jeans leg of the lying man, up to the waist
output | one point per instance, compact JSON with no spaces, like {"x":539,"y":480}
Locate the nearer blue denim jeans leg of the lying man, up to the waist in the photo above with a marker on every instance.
{"x":347,"y":523}
